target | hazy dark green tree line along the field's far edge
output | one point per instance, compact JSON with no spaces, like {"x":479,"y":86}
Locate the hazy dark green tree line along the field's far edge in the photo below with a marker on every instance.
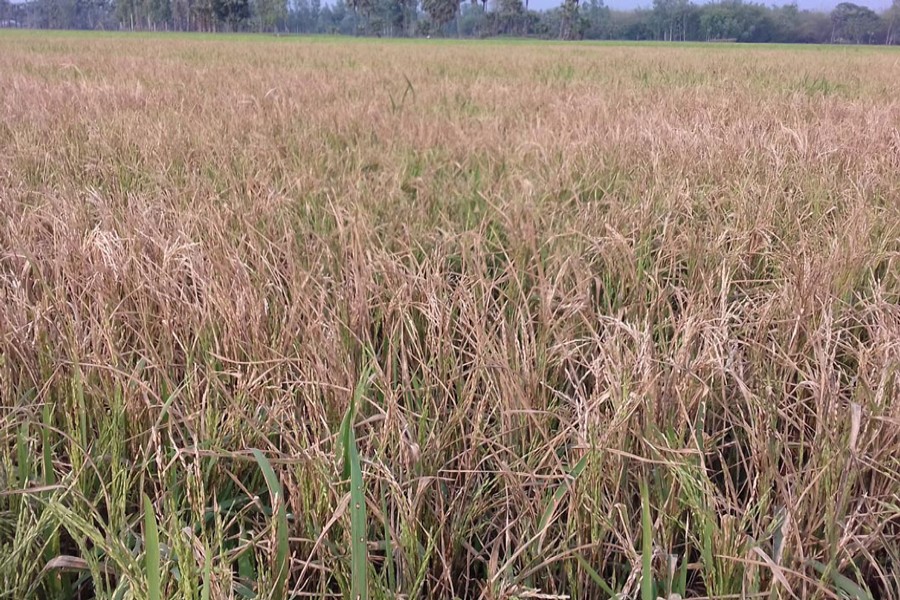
{"x":667,"y":20}
